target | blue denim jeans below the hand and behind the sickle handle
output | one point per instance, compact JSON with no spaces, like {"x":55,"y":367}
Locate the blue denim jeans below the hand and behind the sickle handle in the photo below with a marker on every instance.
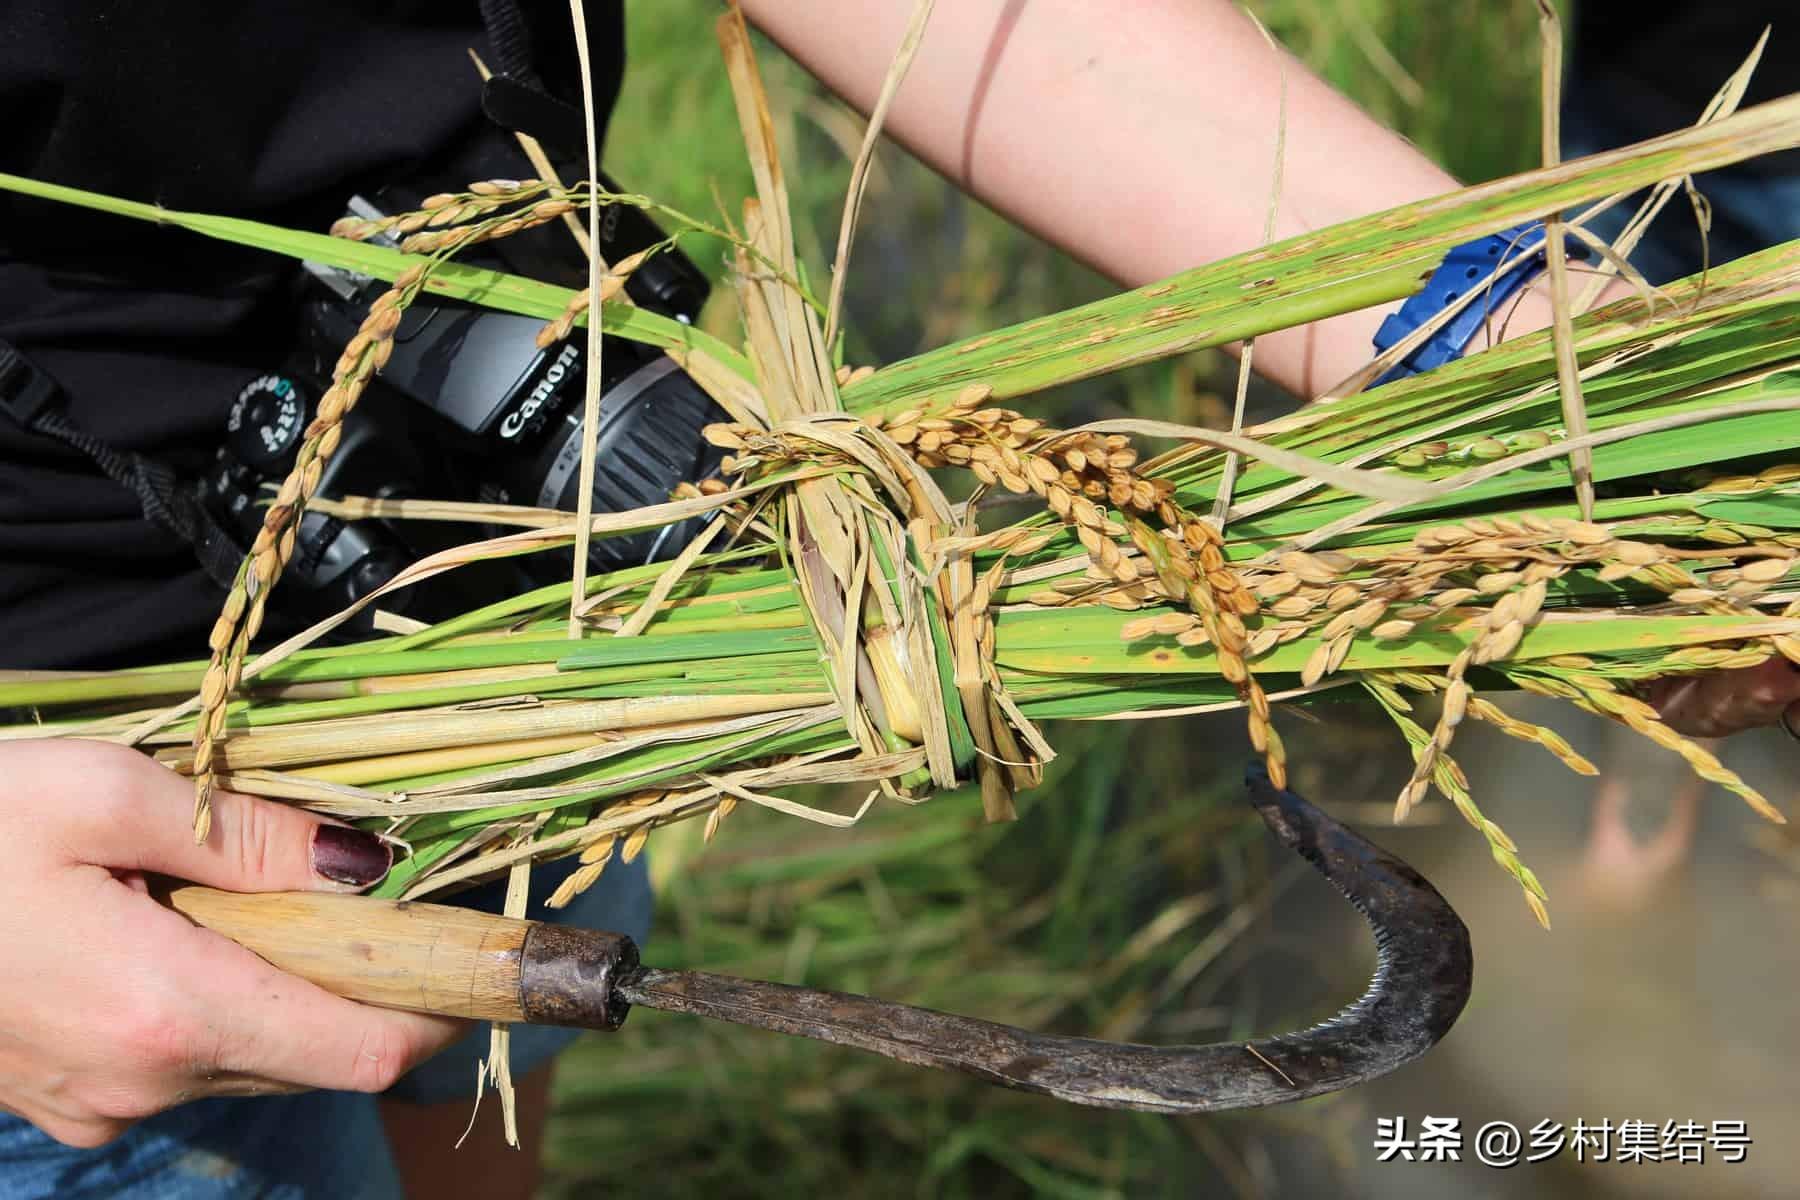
{"x":312,"y":1145}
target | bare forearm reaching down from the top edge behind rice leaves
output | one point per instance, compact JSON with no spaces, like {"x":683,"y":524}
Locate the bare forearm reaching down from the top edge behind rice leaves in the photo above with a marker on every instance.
{"x":1138,"y":136}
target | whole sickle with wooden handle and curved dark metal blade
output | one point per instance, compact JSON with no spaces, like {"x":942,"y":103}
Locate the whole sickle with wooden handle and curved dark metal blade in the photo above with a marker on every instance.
{"x":462,"y":963}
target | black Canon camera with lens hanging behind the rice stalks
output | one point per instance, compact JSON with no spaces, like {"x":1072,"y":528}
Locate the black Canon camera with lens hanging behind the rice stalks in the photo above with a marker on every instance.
{"x":467,"y":407}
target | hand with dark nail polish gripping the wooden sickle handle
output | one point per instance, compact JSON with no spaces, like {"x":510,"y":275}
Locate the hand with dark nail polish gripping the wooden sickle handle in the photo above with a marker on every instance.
{"x":112,"y":1007}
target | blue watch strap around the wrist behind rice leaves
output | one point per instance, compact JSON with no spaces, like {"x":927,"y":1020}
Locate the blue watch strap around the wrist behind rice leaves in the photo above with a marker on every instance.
{"x":1466,"y":269}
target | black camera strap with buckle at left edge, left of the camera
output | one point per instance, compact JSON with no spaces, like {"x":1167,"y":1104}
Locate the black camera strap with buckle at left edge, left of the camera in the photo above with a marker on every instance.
{"x":35,"y":402}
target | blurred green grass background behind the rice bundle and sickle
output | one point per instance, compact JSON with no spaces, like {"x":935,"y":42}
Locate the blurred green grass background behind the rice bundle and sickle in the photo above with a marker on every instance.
{"x":1133,"y":899}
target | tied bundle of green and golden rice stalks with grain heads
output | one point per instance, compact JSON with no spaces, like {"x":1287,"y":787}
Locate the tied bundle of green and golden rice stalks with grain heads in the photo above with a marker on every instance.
{"x":1570,"y":514}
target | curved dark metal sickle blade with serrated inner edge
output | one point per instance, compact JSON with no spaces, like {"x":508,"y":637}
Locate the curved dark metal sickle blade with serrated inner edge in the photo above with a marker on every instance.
{"x":1423,"y":978}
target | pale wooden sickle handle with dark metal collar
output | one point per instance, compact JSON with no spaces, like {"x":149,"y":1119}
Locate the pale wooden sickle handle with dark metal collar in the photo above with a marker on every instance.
{"x":426,"y":958}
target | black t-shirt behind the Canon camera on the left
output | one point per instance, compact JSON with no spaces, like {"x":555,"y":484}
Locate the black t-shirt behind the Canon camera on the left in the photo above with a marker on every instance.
{"x":276,"y":112}
